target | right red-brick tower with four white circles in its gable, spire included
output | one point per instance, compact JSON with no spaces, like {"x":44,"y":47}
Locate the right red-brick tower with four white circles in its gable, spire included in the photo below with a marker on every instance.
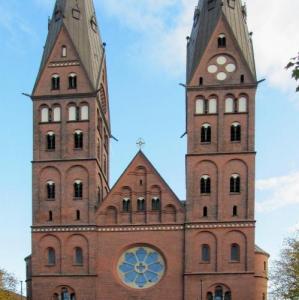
{"x":220,"y":163}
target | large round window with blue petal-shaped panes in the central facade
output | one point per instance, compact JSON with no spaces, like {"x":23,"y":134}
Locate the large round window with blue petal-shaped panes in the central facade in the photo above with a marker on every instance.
{"x":141,"y":267}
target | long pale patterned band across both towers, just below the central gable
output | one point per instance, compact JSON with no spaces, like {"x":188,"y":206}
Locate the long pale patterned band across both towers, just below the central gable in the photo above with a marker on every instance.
{"x":40,"y":229}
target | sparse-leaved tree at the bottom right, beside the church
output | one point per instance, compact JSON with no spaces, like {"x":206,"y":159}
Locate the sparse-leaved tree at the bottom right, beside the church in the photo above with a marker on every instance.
{"x":285,"y":272}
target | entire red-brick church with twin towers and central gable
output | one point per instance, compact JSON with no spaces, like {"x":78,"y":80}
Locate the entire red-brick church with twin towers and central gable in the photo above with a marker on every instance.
{"x":137,"y":240}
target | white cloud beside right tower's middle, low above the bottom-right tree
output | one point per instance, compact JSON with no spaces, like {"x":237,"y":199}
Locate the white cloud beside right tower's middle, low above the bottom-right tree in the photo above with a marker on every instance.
{"x":278,"y":192}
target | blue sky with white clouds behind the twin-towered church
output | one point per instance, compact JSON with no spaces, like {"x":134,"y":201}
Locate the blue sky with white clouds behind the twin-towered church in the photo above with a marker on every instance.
{"x":146,"y":55}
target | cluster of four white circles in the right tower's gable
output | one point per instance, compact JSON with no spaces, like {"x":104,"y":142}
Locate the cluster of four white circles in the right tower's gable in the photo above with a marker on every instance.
{"x":222,"y":66}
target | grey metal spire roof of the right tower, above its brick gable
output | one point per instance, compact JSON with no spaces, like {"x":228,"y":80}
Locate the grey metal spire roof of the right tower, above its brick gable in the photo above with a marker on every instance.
{"x":206,"y":17}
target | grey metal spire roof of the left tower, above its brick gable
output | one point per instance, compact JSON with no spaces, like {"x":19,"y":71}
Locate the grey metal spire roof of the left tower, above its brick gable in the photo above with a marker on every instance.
{"x":79,"y":19}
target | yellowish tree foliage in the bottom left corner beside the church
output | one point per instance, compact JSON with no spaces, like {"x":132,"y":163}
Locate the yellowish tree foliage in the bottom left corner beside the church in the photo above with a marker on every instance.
{"x":8,"y":285}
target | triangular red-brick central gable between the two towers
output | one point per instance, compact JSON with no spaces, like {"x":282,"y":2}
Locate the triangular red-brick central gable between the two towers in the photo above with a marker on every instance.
{"x":140,"y":196}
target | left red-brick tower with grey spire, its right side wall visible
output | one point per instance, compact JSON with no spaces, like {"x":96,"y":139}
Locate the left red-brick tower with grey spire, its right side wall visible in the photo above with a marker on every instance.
{"x":71,"y":152}
